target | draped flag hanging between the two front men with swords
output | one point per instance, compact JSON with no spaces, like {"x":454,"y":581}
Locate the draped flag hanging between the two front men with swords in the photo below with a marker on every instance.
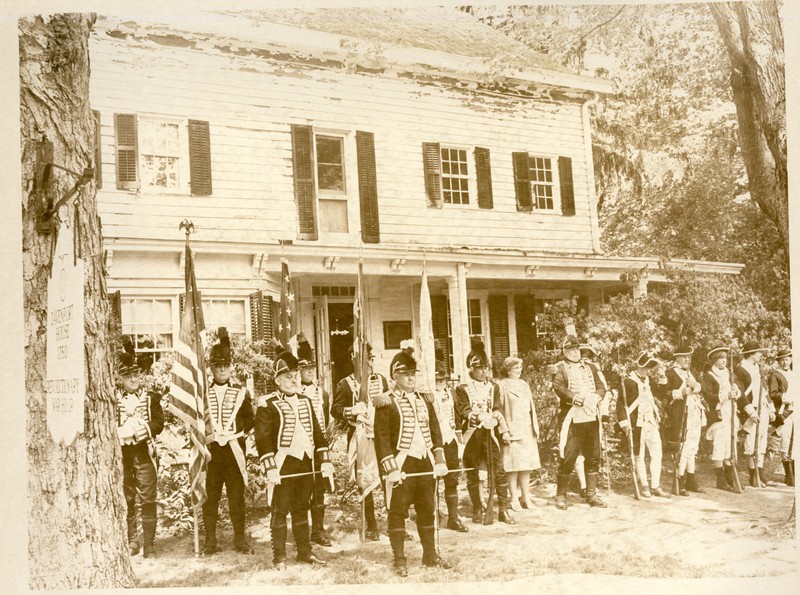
{"x":361,"y":450}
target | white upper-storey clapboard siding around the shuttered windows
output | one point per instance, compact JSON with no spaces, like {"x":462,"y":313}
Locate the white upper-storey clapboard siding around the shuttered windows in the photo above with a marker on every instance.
{"x":250,"y":104}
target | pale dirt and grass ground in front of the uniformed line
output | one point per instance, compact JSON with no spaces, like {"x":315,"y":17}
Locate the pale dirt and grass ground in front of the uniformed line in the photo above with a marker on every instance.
{"x":710,"y":535}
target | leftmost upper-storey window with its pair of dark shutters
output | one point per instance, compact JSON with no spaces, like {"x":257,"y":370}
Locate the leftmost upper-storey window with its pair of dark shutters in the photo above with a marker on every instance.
{"x":162,"y":154}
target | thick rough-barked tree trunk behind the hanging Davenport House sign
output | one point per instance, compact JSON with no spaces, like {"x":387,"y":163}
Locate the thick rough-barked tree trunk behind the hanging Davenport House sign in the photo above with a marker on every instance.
{"x":77,"y":536}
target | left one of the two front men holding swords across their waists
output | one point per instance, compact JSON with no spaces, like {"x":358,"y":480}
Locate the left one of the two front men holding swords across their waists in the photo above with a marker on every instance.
{"x":292,"y":449}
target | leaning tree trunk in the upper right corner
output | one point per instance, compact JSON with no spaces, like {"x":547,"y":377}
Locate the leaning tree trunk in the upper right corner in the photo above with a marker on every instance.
{"x":752,"y":34}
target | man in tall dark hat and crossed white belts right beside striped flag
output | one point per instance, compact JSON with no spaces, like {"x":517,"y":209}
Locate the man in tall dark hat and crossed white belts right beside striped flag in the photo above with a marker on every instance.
{"x":230,"y":409}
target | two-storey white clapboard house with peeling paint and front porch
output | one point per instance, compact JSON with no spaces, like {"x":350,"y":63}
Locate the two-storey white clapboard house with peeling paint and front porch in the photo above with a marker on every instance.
{"x":398,"y":138}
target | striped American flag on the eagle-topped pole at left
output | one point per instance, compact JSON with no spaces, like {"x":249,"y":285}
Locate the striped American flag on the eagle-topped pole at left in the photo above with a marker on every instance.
{"x":187,"y":397}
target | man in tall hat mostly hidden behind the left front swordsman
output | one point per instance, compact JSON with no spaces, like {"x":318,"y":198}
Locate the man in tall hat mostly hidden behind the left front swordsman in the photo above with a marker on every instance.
{"x":321,"y":403}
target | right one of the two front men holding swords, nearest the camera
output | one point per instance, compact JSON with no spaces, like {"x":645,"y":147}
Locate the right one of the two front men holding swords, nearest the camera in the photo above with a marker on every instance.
{"x":408,"y":444}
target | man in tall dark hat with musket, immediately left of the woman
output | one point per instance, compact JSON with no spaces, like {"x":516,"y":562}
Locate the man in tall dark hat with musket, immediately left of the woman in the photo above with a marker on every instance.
{"x":480,"y":418}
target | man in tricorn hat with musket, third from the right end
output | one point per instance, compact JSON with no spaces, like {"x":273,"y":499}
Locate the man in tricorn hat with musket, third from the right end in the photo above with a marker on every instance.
{"x":721,"y":397}
